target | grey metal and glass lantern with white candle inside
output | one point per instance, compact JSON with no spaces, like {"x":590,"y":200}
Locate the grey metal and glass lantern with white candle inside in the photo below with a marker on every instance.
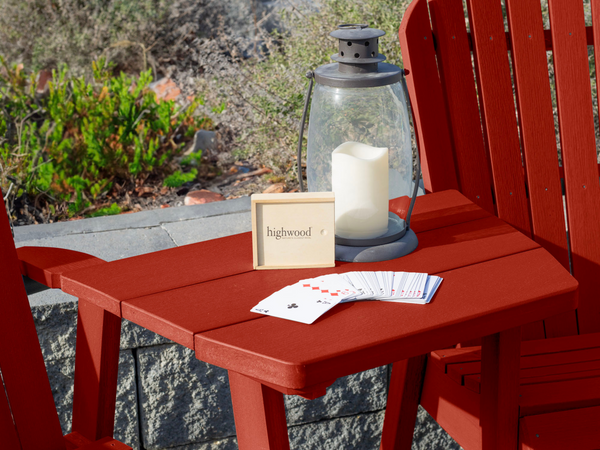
{"x":359,"y":146}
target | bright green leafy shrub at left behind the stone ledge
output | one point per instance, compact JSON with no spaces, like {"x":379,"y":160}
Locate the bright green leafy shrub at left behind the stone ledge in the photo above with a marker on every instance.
{"x":84,"y":137}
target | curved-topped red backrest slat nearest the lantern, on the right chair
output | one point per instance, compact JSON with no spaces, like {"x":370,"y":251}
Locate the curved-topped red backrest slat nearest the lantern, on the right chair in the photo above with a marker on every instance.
{"x":433,"y":135}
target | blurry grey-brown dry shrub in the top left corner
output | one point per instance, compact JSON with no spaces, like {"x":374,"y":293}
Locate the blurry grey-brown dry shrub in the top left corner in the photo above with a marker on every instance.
{"x":44,"y":34}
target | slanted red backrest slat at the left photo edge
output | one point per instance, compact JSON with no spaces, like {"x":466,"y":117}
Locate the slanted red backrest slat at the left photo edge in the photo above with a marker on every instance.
{"x":21,"y":361}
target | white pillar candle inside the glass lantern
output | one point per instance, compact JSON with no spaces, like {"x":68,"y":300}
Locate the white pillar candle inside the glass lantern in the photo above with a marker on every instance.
{"x":359,"y":178}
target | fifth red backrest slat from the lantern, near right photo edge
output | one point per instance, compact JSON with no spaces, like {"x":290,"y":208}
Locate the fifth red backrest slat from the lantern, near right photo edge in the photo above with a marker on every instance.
{"x":578,"y":147}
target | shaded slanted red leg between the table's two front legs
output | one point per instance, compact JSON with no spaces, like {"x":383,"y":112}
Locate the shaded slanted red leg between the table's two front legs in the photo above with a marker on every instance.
{"x":402,"y":404}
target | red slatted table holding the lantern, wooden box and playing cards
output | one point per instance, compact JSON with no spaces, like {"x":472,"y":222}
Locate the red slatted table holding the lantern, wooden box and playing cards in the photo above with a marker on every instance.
{"x":200,"y":295}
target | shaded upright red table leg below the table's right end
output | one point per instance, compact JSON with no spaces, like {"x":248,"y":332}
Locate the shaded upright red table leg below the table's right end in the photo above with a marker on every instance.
{"x":499,"y":407}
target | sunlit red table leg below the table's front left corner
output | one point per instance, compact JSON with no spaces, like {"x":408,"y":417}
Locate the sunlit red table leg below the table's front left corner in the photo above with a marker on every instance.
{"x":259,"y":415}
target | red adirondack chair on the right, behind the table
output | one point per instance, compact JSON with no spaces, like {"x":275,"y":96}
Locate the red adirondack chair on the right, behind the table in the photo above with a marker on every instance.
{"x":500,"y":150}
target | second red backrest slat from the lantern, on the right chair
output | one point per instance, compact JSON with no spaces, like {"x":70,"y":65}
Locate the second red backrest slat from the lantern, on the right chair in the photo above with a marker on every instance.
{"x":454,"y":57}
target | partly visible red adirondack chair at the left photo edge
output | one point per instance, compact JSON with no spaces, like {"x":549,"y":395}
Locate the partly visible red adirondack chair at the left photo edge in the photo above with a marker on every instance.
{"x":28,"y":418}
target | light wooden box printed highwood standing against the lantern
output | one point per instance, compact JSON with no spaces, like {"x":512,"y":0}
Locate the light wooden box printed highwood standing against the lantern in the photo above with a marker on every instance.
{"x":293,"y":230}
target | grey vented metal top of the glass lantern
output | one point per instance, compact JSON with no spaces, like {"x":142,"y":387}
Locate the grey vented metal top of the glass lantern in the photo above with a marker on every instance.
{"x":358,"y":61}
